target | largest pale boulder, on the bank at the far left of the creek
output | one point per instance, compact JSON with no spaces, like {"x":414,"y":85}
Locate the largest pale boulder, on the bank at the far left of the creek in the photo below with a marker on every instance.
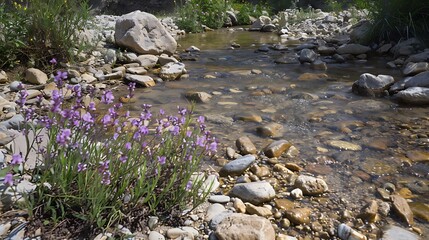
{"x":143,"y":33}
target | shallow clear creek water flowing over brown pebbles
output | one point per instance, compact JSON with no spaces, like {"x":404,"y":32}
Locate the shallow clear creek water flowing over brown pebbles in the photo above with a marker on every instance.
{"x":312,"y":112}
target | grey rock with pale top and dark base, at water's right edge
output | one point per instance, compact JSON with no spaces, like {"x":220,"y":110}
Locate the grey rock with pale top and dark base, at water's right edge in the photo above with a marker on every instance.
{"x":371,"y":85}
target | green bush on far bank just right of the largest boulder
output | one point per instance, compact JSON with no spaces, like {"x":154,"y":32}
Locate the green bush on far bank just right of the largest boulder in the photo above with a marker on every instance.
{"x":192,"y":14}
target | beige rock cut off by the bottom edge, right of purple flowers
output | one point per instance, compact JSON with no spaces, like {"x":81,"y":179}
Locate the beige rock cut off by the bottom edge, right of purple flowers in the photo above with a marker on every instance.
{"x":240,"y":226}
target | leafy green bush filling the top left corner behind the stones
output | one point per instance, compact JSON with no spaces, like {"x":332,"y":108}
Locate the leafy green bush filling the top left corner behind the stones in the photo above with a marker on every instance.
{"x":38,"y":30}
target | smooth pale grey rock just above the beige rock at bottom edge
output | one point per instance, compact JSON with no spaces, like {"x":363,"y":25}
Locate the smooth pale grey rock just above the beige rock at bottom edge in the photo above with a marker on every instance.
{"x":254,"y":192}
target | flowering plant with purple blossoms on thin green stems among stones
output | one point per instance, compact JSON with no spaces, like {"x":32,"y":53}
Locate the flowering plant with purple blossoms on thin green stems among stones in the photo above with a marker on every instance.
{"x":105,"y":168}
